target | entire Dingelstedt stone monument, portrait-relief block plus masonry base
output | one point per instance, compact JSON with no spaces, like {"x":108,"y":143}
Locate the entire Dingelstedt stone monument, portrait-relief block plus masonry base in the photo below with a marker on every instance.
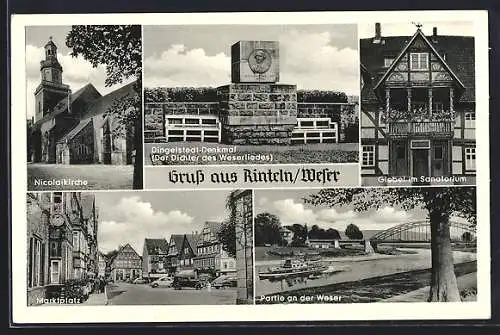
{"x":255,"y":108}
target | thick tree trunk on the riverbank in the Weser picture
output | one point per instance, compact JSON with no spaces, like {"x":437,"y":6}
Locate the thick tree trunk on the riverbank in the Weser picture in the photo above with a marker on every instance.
{"x":443,"y":280}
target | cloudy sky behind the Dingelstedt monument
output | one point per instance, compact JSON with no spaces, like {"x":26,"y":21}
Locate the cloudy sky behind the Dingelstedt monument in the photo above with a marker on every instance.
{"x":311,"y":56}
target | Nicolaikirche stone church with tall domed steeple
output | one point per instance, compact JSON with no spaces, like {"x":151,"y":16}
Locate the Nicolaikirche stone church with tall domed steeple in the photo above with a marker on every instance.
{"x":77,"y":127}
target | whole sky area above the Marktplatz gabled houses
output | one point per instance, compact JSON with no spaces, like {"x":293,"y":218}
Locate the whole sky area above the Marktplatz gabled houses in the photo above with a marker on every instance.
{"x":127,"y":217}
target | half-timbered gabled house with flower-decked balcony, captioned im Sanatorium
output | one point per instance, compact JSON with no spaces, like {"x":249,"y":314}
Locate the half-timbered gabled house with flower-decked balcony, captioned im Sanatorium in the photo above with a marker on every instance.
{"x":417,"y":109}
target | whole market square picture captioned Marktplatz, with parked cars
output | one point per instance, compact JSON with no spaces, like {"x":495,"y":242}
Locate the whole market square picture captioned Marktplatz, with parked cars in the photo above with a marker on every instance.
{"x":117,"y":248}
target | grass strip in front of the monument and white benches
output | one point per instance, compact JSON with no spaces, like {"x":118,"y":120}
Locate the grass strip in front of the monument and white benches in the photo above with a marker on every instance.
{"x":272,"y":154}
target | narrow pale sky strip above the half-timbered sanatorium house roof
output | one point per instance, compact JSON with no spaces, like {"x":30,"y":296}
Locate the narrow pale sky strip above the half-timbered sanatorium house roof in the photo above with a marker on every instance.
{"x":409,"y":28}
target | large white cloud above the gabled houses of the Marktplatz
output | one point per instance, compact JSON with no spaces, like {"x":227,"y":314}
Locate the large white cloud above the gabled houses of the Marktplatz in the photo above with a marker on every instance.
{"x":134,"y":220}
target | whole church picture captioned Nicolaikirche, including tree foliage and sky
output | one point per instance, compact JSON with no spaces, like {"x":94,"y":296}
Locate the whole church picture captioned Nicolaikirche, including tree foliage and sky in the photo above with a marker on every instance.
{"x":84,"y":113}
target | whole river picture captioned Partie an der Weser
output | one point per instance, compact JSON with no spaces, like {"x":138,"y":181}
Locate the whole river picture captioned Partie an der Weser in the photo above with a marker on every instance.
{"x":317,"y":247}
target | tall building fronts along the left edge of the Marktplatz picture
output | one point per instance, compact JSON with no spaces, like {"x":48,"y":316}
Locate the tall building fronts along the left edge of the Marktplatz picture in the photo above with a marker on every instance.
{"x":62,"y":240}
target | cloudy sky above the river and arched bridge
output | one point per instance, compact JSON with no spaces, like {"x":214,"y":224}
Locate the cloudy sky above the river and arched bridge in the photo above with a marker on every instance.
{"x":290,"y":208}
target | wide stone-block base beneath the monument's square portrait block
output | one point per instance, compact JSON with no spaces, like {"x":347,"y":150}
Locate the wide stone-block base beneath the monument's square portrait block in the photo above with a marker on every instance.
{"x":257,"y":113}
